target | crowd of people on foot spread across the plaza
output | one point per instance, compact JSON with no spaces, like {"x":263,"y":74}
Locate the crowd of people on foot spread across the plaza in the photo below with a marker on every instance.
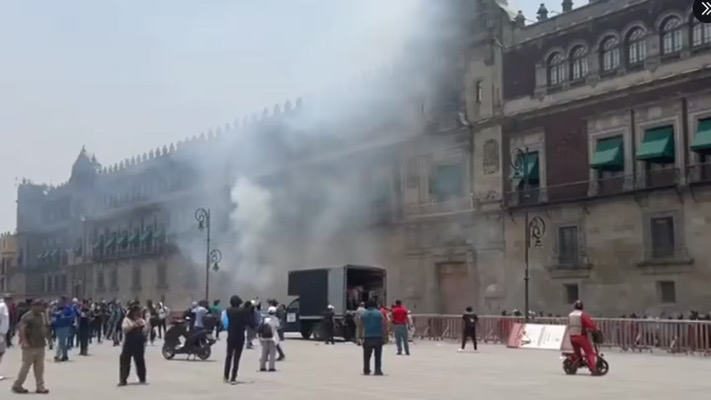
{"x":64,"y":325}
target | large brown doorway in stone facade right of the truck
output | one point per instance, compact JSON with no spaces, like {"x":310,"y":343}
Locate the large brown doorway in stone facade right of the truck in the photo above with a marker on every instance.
{"x":455,"y":291}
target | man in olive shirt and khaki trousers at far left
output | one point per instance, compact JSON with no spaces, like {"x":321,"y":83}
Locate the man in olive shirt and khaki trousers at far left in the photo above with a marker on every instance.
{"x":33,"y":334}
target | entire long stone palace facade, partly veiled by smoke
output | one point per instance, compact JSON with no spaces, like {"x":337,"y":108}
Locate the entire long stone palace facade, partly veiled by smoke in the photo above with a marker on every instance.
{"x":603,"y":106}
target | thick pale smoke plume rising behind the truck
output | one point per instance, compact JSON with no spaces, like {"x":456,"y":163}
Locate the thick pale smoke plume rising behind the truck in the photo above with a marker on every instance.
{"x":305,"y":187}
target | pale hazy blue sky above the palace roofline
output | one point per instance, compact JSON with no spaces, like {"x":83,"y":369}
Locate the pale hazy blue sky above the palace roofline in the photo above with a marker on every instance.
{"x":122,"y":77}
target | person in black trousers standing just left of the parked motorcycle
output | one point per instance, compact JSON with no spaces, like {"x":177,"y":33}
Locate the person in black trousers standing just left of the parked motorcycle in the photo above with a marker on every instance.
{"x":135,"y":330}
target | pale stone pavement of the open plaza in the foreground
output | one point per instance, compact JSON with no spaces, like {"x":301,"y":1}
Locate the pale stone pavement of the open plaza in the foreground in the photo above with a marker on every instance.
{"x":434,"y":371}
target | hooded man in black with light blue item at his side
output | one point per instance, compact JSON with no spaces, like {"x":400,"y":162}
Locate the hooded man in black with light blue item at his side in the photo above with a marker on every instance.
{"x":236,"y":320}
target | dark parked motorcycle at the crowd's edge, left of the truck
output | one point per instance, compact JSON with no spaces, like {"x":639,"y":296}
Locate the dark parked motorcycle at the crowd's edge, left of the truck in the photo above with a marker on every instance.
{"x":196,"y":344}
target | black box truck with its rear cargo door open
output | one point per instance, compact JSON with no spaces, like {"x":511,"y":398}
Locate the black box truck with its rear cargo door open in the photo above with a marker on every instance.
{"x":343,"y":287}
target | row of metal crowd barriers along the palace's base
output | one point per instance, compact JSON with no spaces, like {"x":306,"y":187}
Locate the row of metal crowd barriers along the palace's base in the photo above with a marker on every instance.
{"x":673,"y":336}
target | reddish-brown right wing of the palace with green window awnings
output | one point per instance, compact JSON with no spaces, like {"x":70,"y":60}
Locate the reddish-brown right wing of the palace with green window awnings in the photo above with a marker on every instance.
{"x":606,"y":107}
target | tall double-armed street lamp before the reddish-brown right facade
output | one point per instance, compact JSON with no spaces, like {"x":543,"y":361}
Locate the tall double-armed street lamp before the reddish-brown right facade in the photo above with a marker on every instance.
{"x":533,"y":228}
